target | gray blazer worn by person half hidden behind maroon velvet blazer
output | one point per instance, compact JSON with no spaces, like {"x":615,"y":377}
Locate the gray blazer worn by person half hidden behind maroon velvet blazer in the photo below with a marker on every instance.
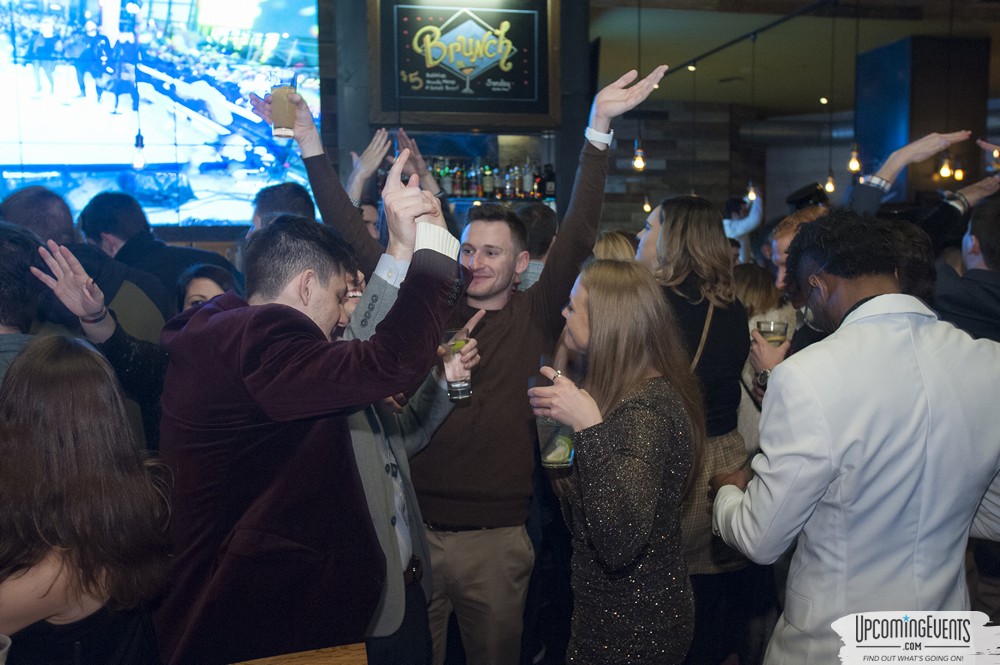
{"x":407,"y":433}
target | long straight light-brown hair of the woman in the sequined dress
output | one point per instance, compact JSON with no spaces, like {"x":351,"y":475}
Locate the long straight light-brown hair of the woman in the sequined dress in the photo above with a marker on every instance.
{"x":633,"y":331}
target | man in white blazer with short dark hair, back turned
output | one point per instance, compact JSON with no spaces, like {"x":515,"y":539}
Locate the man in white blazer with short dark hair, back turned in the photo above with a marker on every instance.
{"x":877,"y":446}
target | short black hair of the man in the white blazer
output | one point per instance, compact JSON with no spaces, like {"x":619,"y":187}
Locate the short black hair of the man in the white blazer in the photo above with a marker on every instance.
{"x":844,"y":244}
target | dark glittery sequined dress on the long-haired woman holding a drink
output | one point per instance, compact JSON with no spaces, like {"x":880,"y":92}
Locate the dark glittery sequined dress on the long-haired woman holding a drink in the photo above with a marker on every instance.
{"x":632,"y":599}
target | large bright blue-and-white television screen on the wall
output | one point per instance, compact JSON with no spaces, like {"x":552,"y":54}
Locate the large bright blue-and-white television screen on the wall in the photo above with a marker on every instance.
{"x":151,"y":97}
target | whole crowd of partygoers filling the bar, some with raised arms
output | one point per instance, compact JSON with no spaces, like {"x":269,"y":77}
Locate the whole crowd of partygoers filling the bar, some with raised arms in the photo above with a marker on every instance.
{"x":203,"y":462}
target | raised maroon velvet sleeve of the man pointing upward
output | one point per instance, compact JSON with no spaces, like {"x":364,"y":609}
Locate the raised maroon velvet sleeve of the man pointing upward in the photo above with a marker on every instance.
{"x":292,"y":373}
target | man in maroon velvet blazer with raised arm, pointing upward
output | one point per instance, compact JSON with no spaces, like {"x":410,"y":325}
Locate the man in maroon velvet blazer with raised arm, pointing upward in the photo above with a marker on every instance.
{"x":274,"y":548}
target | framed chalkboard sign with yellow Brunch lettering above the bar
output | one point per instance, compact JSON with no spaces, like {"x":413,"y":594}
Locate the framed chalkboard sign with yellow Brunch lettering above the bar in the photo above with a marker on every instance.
{"x":479,"y":64}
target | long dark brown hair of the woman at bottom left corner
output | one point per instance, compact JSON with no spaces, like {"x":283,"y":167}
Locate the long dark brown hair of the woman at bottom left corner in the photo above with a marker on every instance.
{"x":72,"y":481}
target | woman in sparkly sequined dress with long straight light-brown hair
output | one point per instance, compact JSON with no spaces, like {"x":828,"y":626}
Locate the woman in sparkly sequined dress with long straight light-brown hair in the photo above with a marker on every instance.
{"x":638,"y":428}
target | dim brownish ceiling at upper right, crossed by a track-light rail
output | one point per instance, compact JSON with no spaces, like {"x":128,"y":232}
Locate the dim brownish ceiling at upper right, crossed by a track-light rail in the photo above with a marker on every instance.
{"x":787,"y":70}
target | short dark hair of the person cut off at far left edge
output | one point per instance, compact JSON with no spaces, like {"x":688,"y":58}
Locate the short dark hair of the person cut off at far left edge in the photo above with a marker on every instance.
{"x":19,"y":289}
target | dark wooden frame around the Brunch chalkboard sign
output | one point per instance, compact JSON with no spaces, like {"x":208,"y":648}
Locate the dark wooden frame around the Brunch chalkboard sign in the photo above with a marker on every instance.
{"x":381,"y":58}
